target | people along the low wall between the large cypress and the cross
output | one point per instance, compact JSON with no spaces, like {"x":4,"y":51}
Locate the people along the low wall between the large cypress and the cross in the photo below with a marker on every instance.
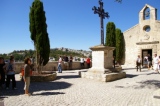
{"x":68,"y":63}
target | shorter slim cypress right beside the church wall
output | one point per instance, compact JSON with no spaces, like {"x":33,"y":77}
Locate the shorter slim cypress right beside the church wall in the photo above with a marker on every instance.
{"x":119,"y":45}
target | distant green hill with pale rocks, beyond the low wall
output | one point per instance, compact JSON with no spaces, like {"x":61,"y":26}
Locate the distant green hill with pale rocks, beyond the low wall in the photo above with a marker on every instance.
{"x":54,"y":53}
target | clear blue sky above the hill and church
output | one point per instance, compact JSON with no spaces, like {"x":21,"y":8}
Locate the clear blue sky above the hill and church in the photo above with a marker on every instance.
{"x":71,"y":23}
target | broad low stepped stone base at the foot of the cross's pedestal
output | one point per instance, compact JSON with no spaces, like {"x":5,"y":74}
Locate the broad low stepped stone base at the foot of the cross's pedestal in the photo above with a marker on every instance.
{"x":105,"y":75}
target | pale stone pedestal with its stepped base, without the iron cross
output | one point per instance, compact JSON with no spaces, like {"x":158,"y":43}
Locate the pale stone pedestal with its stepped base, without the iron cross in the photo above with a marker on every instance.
{"x":102,"y":61}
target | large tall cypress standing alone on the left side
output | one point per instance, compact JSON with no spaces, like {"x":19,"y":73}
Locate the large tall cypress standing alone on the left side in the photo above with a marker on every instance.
{"x":39,"y":35}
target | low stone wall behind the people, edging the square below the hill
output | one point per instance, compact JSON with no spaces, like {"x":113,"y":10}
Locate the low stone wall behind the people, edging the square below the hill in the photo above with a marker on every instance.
{"x":52,"y":66}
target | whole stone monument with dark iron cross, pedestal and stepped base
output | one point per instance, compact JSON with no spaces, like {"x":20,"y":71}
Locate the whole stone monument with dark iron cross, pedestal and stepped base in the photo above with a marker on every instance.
{"x":102,"y":61}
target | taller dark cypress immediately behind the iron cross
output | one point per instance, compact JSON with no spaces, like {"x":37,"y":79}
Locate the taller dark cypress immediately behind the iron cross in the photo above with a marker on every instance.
{"x":110,"y":35}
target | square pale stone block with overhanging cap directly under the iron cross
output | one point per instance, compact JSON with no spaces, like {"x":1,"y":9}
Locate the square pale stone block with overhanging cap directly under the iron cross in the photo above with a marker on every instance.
{"x":102,"y":58}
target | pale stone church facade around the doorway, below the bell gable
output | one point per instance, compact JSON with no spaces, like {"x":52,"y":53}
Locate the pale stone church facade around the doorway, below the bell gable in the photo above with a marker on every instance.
{"x":138,"y":35}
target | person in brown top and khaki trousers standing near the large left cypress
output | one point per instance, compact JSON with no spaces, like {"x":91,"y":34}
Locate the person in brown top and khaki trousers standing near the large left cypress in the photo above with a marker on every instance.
{"x":26,"y":76}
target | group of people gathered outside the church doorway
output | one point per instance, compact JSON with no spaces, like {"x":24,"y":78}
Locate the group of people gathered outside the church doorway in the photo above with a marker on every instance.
{"x":149,"y":62}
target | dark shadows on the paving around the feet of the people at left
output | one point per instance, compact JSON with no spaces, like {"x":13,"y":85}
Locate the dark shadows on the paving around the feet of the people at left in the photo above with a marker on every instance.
{"x":35,"y":86}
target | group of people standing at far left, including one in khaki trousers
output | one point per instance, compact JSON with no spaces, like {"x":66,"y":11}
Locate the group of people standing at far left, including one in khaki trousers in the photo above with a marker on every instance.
{"x":7,"y":73}
